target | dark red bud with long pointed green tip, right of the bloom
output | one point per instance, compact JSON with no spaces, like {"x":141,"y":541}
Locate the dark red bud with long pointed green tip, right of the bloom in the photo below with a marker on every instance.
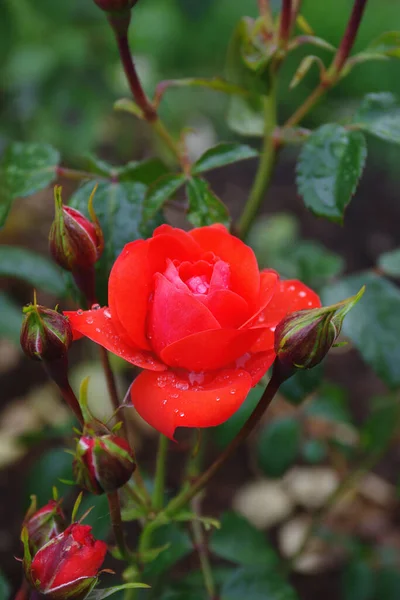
{"x":303,"y":338}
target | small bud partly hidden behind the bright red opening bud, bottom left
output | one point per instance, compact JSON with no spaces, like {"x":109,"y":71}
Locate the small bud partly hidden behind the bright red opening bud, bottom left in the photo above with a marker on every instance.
{"x":44,"y":524}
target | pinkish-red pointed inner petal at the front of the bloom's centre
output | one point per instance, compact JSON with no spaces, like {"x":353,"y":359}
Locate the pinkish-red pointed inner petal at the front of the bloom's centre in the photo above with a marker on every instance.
{"x":175,"y":314}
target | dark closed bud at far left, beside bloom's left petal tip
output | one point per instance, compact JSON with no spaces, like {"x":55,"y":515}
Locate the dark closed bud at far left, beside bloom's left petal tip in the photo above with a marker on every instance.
{"x":45,"y":334}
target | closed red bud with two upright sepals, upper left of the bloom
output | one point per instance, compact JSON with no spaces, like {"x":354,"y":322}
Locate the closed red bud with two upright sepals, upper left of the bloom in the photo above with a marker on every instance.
{"x":75,"y":242}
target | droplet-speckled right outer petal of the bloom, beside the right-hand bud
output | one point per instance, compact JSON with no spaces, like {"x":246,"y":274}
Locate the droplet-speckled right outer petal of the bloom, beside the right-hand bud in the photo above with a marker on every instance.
{"x":292,"y":295}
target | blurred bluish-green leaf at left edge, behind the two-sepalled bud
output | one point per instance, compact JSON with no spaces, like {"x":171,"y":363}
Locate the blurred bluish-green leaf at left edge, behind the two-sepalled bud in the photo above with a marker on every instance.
{"x":33,"y":268}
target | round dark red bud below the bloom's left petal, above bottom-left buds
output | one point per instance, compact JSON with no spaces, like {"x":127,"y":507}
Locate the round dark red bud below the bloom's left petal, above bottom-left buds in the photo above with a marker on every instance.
{"x":103,"y":463}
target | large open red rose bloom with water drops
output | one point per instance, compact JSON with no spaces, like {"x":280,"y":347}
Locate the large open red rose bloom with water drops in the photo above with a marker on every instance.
{"x":195,"y":313}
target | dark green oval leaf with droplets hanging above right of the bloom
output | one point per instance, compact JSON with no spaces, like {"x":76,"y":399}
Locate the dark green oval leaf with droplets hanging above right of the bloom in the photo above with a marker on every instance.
{"x":330,"y":165}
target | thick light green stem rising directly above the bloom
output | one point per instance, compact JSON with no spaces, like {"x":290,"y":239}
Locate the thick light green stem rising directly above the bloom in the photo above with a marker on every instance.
{"x":265,"y":167}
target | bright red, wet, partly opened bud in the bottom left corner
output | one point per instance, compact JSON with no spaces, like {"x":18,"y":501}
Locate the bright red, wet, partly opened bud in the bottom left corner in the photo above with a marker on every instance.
{"x":66,"y":568}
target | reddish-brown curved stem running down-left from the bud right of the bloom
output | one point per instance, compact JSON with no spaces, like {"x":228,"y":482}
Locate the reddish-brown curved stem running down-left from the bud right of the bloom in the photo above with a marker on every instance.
{"x":182,"y":499}
